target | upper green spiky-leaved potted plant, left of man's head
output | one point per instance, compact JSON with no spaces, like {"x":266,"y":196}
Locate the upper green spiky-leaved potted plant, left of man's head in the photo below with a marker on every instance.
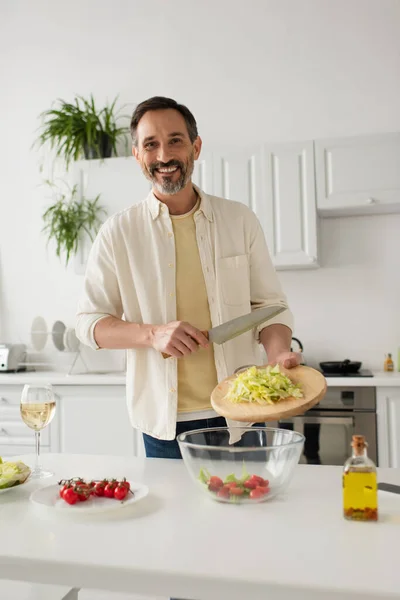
{"x":79,"y":129}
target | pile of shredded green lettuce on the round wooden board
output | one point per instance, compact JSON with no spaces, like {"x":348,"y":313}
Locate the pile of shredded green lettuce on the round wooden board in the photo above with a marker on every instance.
{"x":265,"y":385}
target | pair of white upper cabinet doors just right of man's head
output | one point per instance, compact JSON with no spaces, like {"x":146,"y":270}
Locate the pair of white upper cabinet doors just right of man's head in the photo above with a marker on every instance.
{"x":277,"y":182}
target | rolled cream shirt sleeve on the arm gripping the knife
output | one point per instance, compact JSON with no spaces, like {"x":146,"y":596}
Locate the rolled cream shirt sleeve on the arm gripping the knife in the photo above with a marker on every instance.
{"x":101,"y":293}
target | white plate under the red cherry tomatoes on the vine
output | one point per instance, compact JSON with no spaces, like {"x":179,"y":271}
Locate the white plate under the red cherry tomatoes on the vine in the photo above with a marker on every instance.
{"x":49,"y":497}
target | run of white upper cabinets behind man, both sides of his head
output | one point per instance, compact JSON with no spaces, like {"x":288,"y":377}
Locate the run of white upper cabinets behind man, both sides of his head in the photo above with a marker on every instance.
{"x":275,"y":181}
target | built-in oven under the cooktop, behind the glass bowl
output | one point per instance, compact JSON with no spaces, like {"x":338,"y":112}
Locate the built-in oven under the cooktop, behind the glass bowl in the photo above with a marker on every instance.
{"x":330,"y":425}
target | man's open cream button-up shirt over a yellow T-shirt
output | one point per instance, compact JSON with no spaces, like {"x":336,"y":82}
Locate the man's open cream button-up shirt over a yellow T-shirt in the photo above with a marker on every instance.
{"x":131,"y":274}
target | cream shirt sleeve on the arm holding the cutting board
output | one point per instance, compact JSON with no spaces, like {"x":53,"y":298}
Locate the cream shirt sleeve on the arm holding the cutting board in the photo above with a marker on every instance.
{"x":265,"y":286}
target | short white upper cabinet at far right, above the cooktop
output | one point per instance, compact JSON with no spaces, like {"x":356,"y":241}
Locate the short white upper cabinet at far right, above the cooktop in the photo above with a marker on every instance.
{"x":358,"y":175}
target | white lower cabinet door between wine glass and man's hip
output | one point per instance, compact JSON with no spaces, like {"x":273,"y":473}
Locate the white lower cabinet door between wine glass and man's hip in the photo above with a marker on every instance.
{"x":94,"y":420}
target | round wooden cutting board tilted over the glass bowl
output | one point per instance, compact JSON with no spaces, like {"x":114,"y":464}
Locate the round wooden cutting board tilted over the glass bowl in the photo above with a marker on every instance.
{"x":313,"y":385}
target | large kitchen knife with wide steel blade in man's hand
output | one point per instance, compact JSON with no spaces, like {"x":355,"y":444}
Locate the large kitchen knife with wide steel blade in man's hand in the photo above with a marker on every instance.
{"x":231,"y":329}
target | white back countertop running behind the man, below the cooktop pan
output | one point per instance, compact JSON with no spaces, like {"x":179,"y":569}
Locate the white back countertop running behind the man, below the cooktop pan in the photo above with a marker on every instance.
{"x":380,"y":379}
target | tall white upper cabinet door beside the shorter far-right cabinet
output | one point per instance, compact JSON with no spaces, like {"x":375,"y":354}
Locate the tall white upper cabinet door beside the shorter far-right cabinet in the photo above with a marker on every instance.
{"x":290,"y":216}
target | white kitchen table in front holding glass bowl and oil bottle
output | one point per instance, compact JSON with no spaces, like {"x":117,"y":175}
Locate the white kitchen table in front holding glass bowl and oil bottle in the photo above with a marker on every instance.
{"x":179,"y":543}
